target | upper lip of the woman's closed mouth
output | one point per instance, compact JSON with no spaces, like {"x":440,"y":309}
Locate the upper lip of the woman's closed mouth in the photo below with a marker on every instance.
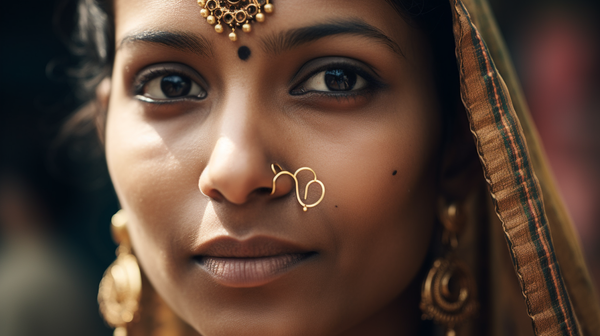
{"x":255,"y":247}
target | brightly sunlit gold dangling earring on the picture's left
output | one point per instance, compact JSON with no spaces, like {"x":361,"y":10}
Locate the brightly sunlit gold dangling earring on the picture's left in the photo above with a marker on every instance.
{"x":121,"y":286}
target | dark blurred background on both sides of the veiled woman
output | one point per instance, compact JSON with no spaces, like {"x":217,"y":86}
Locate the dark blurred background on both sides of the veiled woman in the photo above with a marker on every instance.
{"x":56,"y":199}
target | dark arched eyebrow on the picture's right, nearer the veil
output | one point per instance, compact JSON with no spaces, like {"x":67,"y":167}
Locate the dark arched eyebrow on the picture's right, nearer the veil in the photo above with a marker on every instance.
{"x":279,"y":42}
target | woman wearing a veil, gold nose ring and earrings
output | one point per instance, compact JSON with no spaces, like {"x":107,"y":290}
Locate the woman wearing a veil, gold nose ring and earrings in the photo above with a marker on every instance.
{"x":305,"y":168}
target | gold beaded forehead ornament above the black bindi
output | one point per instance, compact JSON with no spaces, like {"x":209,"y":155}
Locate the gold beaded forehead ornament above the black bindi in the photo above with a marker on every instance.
{"x":234,"y":13}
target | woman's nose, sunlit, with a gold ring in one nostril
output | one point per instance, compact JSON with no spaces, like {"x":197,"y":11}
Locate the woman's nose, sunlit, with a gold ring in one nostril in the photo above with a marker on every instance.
{"x":239,"y":169}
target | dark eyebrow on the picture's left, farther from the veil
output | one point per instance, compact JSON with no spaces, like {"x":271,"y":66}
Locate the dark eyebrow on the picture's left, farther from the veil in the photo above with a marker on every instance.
{"x":173,"y":39}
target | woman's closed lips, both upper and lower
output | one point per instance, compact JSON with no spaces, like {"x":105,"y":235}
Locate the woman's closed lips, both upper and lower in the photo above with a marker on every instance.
{"x":249,"y":263}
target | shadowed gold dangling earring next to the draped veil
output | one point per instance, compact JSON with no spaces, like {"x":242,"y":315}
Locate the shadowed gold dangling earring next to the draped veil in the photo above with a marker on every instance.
{"x":449,"y":294}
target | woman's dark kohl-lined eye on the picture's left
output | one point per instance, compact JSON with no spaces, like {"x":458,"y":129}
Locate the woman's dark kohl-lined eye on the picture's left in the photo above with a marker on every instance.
{"x":172,"y":86}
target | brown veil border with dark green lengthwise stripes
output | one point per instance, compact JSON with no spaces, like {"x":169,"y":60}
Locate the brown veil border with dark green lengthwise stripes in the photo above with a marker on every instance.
{"x":512,"y":182}
